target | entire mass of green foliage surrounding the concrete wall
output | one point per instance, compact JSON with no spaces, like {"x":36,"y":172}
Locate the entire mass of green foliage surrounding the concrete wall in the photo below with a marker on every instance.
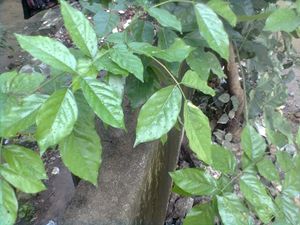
{"x":165,"y":47}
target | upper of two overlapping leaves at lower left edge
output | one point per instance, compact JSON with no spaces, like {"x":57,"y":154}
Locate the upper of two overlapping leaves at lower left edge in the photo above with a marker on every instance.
{"x":25,"y":161}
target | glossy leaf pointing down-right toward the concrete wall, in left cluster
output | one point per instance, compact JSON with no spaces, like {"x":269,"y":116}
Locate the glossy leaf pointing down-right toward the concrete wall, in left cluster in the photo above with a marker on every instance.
{"x":105,"y":102}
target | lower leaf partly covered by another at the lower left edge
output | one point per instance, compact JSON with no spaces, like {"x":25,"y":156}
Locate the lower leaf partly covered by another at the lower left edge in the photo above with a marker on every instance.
{"x":27,"y":184}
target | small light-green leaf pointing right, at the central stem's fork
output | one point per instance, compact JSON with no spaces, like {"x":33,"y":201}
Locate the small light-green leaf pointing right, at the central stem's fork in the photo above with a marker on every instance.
{"x":191,"y":79}
